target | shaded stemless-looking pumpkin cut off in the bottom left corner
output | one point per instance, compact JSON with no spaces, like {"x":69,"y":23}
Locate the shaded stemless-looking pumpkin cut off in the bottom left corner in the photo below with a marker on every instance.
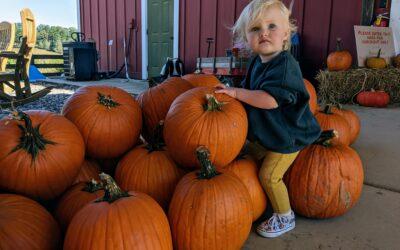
{"x":24,"y":224}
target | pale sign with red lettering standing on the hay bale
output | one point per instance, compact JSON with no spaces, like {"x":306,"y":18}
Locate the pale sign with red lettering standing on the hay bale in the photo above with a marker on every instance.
{"x":370,"y":39}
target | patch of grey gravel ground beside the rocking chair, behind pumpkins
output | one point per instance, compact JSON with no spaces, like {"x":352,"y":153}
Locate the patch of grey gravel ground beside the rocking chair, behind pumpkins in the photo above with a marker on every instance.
{"x":53,"y":101}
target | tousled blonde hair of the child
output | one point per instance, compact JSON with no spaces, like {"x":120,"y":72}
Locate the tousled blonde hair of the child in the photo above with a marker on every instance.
{"x":253,"y":12}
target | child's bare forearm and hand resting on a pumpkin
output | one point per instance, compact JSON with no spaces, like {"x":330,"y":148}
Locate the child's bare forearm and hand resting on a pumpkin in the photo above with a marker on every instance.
{"x":256,"y":98}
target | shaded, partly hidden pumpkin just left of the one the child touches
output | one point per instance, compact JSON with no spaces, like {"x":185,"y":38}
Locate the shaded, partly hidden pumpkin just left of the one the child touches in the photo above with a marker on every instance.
{"x":155,"y":101}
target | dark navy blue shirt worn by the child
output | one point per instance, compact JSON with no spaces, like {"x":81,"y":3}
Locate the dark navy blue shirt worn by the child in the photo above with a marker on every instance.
{"x":291,"y":126}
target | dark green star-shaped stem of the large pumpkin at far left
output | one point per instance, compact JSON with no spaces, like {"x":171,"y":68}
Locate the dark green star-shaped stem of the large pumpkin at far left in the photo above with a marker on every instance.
{"x":31,"y":140}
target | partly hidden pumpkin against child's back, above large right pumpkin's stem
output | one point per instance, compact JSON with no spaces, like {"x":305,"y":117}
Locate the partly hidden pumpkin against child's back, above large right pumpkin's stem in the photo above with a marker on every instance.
{"x":330,"y":120}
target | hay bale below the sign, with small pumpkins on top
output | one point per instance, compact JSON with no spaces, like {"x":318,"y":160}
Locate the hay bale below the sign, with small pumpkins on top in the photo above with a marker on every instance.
{"x":342,"y":86}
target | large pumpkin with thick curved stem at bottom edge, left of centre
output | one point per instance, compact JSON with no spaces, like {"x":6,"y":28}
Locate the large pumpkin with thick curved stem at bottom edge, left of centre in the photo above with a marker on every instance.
{"x":119,"y":220}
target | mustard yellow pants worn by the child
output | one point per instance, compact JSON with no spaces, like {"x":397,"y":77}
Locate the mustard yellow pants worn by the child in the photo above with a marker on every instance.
{"x":273,"y":167}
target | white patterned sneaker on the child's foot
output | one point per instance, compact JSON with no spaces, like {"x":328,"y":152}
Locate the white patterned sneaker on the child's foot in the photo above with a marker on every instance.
{"x":276,"y":225}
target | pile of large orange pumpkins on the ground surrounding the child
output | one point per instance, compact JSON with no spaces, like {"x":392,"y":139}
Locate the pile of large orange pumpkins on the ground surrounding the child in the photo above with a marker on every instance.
{"x":176,"y":178}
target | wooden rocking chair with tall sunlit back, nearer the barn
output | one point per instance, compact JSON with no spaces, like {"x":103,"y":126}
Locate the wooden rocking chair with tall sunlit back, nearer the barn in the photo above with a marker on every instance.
{"x":20,"y":75}
